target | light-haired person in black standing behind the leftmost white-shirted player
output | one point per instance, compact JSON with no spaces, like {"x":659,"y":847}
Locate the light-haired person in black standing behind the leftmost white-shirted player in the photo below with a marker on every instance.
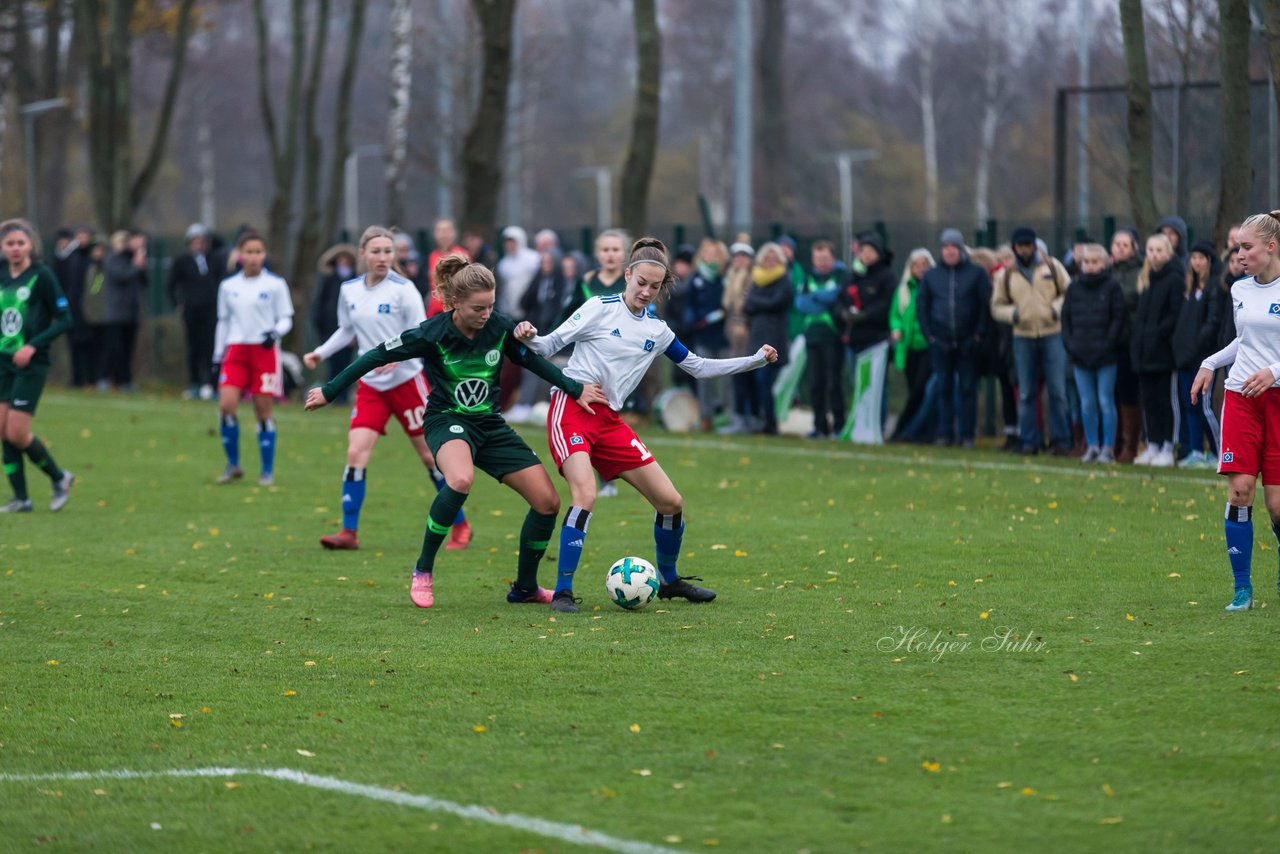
{"x":194,"y":280}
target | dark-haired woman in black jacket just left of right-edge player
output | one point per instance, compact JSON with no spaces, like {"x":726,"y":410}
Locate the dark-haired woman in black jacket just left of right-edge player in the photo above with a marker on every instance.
{"x":1195,"y":339}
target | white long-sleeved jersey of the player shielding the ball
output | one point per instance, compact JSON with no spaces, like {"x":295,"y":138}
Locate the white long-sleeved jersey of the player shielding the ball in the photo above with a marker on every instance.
{"x":614,"y":349}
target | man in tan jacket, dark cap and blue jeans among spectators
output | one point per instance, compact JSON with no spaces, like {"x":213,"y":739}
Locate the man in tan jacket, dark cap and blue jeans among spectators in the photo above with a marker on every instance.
{"x":1030,"y":296}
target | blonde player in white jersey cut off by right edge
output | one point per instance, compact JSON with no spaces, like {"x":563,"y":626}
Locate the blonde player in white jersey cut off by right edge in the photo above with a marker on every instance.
{"x":1251,"y":407}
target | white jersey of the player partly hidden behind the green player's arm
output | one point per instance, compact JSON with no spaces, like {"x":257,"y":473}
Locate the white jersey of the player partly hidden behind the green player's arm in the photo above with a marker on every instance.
{"x":374,"y":316}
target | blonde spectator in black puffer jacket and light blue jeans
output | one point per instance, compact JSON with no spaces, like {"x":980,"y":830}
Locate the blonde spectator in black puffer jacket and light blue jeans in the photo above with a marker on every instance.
{"x":1094,"y":323}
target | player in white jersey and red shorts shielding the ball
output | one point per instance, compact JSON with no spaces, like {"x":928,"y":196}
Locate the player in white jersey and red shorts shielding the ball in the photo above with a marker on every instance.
{"x":615,"y":341}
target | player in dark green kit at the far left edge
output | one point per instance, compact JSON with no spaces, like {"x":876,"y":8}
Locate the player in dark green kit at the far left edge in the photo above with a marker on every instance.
{"x":33,"y":313}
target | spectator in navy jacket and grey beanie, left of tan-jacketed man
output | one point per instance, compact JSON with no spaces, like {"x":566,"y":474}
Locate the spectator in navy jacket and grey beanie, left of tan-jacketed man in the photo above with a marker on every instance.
{"x":953,"y":309}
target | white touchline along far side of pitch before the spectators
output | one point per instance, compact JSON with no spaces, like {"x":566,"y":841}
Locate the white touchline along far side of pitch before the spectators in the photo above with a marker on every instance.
{"x":834,"y":451}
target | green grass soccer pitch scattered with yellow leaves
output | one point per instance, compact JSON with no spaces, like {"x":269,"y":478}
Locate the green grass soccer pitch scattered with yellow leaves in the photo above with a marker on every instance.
{"x":927,"y":652}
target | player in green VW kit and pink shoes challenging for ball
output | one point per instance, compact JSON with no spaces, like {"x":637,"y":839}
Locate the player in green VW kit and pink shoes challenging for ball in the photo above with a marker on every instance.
{"x":463,"y":351}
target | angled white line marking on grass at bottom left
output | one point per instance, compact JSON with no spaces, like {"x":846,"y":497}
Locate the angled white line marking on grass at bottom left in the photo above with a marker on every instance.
{"x":574,"y":834}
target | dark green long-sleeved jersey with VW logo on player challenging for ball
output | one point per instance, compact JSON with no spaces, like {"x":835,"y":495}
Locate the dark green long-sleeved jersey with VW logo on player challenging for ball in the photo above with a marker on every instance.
{"x":463,"y":372}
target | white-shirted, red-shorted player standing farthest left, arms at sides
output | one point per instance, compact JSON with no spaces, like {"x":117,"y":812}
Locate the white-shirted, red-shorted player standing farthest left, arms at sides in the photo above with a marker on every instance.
{"x":254,"y":313}
